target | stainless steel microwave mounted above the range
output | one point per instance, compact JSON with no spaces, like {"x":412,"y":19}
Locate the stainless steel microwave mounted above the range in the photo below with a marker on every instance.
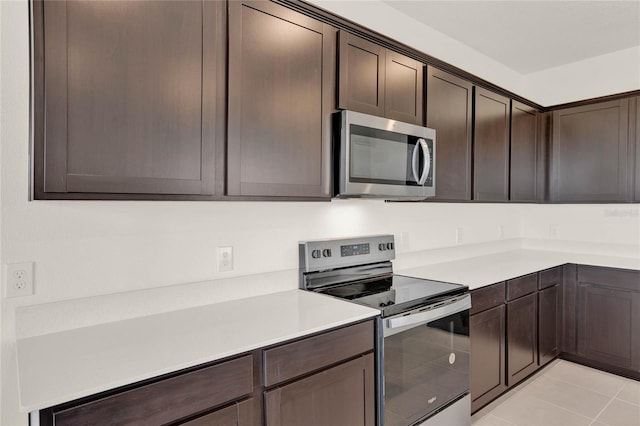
{"x":381,"y":158}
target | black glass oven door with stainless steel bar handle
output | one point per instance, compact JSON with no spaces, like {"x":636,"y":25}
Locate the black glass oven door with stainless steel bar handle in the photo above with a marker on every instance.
{"x":426,"y":362}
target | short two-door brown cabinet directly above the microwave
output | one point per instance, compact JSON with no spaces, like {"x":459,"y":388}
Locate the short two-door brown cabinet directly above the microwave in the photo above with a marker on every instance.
{"x":378,"y":81}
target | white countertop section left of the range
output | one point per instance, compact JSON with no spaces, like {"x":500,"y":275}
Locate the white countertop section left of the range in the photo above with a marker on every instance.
{"x":60,"y":367}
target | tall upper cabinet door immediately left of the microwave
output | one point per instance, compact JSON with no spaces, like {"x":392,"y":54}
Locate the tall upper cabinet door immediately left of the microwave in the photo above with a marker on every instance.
{"x":280,"y":85}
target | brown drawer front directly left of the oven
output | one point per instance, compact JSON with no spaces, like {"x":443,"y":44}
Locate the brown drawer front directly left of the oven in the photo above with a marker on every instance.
{"x":304,"y":356}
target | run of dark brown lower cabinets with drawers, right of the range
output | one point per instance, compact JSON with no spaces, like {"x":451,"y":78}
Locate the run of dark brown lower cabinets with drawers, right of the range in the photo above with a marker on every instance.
{"x":515,"y":328}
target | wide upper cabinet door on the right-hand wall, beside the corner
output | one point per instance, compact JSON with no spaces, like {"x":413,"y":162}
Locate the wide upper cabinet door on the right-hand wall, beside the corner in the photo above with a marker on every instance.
{"x":589,"y":153}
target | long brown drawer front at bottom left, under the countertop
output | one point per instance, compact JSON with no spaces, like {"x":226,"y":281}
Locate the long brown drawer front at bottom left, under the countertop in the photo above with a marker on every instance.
{"x":167,"y":400}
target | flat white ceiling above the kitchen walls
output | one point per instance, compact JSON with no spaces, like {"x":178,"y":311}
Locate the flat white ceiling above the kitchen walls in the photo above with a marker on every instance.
{"x":531,"y":36}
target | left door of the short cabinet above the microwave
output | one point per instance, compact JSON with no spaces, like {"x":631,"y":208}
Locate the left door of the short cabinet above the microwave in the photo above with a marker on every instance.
{"x":361,"y":75}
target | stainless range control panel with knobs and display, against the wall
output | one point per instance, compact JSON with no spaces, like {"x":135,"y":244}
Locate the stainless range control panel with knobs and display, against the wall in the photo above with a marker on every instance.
{"x":321,"y":255}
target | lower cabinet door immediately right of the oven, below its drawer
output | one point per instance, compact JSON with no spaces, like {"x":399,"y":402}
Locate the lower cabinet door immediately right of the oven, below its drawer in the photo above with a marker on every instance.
{"x":487,"y":333}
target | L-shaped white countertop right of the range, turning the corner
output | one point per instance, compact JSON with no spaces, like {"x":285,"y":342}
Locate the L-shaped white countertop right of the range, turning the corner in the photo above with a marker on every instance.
{"x":479,"y":271}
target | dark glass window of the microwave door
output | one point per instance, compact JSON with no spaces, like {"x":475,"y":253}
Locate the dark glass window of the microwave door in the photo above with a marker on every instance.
{"x":381,"y":156}
